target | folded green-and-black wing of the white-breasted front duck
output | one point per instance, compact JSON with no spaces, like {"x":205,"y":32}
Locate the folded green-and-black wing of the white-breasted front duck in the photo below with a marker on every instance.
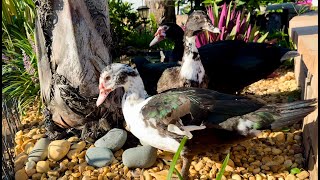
{"x":182,"y":110}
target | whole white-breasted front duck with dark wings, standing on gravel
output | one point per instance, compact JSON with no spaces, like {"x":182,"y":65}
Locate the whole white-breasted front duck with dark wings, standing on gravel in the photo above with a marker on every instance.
{"x":208,"y":118}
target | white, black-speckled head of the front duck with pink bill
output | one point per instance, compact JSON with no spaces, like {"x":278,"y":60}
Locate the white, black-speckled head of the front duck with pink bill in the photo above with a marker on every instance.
{"x":112,"y":77}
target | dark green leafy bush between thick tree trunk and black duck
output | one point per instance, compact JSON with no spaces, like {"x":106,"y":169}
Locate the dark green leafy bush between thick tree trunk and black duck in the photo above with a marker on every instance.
{"x":128,"y":29}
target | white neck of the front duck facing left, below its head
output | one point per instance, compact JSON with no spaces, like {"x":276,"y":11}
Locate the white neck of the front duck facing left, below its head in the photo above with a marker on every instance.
{"x":134,"y":92}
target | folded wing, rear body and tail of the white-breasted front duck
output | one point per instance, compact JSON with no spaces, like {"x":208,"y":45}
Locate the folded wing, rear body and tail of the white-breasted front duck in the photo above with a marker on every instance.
{"x":179,"y":111}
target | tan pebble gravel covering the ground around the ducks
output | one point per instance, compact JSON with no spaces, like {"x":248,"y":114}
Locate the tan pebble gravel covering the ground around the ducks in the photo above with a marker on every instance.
{"x":269,"y":156}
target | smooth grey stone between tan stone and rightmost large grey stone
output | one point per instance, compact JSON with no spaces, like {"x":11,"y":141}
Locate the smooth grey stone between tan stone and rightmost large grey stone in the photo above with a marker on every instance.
{"x":99,"y":156}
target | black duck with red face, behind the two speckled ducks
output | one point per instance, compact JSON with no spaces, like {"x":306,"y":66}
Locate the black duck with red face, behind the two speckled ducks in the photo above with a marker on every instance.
{"x":230,"y":65}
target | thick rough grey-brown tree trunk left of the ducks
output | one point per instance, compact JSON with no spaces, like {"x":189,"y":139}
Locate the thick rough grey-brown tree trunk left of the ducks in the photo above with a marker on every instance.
{"x":73,"y":42}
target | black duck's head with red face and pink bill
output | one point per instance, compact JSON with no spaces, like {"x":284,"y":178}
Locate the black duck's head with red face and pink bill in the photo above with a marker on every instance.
{"x":169,"y":31}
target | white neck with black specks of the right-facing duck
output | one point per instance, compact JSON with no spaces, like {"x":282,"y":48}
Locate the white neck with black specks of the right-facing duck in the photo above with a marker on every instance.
{"x":191,"y":68}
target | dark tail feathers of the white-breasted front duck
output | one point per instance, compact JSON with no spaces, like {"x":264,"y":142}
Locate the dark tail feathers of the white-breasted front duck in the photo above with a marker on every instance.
{"x":286,"y":114}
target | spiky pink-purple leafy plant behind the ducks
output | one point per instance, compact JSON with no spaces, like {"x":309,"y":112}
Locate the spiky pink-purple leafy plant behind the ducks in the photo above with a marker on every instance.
{"x":233,"y":24}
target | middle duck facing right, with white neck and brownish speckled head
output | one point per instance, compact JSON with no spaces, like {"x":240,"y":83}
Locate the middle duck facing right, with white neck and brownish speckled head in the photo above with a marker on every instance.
{"x":191,"y":73}
